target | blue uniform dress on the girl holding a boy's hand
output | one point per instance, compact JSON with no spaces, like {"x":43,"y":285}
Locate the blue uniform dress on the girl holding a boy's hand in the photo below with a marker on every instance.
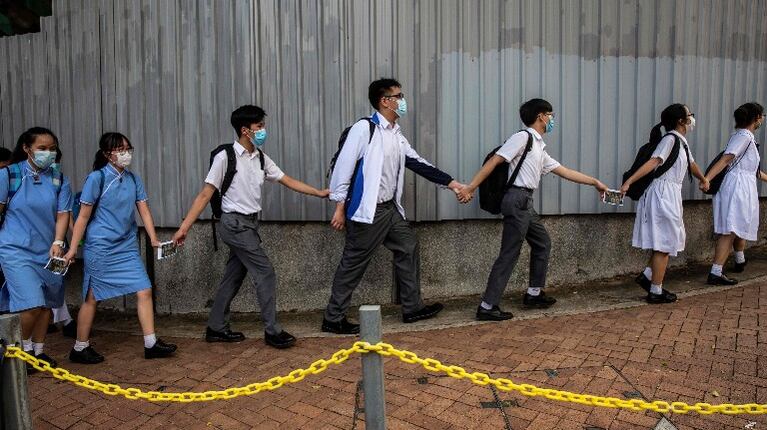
{"x":113,"y":265}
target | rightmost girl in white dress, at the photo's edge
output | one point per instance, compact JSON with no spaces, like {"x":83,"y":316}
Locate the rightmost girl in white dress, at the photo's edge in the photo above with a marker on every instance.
{"x":736,"y":205}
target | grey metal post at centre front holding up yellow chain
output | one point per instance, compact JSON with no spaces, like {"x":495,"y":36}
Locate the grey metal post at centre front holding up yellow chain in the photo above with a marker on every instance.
{"x":372,"y":369}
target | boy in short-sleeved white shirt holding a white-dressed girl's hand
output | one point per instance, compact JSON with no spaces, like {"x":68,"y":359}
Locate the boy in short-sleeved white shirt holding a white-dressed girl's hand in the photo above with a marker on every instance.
{"x":520,"y":220}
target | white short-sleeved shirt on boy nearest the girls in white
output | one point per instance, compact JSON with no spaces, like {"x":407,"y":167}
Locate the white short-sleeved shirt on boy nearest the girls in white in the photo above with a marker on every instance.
{"x":537,"y":163}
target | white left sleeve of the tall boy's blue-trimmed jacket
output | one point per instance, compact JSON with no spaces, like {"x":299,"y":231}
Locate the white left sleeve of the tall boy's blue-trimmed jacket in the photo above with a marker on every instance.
{"x":353,"y":148}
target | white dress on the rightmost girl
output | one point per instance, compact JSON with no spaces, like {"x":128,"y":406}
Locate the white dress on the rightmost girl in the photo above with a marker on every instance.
{"x":736,"y":205}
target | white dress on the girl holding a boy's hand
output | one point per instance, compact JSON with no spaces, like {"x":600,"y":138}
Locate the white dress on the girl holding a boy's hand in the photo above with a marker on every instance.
{"x":659,"y":225}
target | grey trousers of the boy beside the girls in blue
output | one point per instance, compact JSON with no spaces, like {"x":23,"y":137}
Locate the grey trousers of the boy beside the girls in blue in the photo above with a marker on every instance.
{"x":240,"y":233}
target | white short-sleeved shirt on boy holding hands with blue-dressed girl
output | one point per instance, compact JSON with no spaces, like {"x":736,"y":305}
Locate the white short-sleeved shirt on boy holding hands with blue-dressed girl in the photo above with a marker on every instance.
{"x":244,"y":194}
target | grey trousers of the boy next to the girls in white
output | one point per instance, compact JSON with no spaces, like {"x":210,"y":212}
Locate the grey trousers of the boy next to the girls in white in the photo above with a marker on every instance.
{"x":520,"y":223}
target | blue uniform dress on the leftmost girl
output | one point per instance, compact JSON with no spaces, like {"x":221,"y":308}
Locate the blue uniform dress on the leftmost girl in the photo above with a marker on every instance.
{"x":26,"y":237}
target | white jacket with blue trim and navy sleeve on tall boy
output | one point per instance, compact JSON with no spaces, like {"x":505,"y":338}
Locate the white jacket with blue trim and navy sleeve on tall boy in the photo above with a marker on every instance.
{"x":379,"y":167}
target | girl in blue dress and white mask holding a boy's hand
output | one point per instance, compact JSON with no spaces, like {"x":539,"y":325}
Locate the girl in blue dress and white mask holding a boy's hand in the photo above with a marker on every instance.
{"x":113,"y":265}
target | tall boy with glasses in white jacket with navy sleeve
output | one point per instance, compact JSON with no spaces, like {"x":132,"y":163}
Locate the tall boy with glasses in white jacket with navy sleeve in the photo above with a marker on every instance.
{"x":367,"y":185}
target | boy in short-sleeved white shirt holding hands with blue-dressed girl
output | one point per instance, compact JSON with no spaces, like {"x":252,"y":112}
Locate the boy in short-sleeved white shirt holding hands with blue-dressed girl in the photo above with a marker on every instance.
{"x":241,"y":205}
